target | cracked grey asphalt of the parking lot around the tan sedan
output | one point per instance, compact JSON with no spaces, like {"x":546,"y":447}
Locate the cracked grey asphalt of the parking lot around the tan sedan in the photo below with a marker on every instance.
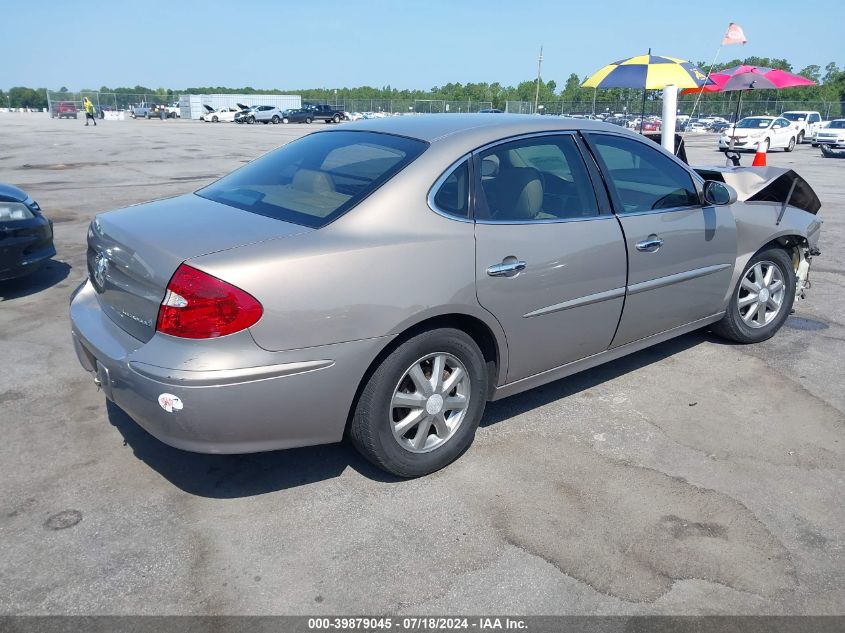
{"x":693,"y":477}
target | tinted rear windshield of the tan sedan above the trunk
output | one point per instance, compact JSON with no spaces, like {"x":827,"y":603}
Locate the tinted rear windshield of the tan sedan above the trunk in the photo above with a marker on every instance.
{"x":317,"y":178}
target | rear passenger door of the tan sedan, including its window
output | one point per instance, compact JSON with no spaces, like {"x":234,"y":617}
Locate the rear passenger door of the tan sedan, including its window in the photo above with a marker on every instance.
{"x":550,"y":257}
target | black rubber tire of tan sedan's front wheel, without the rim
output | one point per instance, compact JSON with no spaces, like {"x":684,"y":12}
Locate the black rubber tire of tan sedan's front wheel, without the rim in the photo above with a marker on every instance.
{"x":732,"y":326}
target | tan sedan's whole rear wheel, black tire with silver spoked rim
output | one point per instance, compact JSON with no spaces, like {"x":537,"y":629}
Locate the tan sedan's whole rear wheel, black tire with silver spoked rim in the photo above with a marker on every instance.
{"x":419,"y":410}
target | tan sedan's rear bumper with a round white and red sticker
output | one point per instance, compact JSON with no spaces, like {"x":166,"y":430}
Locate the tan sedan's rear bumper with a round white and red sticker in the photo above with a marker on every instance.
{"x":296,"y":398}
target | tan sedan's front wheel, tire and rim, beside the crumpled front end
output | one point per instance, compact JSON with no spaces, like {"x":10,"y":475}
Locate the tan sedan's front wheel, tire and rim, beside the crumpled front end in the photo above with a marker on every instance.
{"x":762,"y":299}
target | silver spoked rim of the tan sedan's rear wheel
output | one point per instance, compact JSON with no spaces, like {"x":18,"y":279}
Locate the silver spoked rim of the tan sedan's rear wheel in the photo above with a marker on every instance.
{"x":429,"y":402}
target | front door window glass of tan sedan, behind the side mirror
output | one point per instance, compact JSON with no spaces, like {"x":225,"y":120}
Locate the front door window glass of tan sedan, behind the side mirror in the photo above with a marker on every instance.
{"x":644,"y":179}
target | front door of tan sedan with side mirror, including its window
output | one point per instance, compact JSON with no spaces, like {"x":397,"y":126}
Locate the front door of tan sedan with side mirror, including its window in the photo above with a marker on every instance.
{"x":681,"y":254}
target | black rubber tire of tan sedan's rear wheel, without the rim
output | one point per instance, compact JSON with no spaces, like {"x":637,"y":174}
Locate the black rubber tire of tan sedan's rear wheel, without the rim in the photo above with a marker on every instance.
{"x":370,"y":429}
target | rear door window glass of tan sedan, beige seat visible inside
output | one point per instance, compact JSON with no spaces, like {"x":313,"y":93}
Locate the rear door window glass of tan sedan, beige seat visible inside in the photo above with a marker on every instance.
{"x":535,"y":179}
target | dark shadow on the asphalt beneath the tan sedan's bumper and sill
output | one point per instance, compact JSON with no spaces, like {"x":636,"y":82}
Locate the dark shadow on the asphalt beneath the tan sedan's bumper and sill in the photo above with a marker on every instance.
{"x":234,"y":476}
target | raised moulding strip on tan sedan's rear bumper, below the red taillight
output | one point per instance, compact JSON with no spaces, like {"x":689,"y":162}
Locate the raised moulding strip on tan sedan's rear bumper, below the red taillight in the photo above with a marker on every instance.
{"x":206,"y":378}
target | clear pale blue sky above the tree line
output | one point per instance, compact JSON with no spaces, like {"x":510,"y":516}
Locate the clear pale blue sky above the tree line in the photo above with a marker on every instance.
{"x":408,"y":44}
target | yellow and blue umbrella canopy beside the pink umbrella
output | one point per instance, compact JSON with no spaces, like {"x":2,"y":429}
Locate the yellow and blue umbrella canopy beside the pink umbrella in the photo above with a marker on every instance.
{"x":648,"y":72}
